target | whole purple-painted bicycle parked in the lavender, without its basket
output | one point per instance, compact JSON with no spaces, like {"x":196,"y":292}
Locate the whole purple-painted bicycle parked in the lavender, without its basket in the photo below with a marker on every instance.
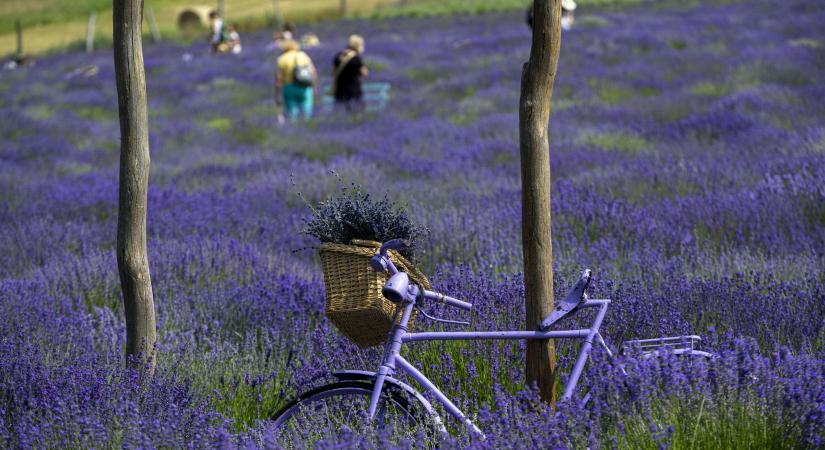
{"x":366,"y":398}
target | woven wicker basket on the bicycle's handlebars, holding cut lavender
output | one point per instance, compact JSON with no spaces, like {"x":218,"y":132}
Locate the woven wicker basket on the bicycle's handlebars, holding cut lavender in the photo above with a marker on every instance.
{"x":354,"y":301}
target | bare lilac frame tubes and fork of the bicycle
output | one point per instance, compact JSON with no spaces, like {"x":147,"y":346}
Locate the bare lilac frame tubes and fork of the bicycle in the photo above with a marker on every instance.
{"x":399,"y":335}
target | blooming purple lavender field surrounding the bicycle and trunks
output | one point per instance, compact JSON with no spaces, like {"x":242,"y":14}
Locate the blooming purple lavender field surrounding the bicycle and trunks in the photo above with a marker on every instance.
{"x":688,"y":171}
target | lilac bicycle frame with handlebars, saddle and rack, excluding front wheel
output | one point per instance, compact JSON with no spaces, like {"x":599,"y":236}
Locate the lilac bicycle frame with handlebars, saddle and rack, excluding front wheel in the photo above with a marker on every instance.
{"x":399,"y":290}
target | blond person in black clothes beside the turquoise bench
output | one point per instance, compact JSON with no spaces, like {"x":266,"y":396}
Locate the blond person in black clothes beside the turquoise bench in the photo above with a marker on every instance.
{"x":348,"y":70}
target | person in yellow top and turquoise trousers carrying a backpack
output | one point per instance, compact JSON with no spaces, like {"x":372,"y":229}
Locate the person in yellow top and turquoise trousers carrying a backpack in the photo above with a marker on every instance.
{"x":295,"y":81}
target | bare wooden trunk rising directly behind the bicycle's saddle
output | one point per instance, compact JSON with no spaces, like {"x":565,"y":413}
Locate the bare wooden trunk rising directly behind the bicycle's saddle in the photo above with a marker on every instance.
{"x":534,"y":112}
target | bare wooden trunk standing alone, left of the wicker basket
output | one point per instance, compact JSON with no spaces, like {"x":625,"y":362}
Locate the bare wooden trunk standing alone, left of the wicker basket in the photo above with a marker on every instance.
{"x":132,"y":260}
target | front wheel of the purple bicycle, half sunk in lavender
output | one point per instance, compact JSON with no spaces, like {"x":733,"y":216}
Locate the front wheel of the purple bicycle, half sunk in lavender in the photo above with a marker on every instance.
{"x":344,"y":406}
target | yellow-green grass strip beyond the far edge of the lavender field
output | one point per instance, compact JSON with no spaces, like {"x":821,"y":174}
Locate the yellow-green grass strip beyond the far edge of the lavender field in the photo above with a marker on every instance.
{"x":60,"y":25}
